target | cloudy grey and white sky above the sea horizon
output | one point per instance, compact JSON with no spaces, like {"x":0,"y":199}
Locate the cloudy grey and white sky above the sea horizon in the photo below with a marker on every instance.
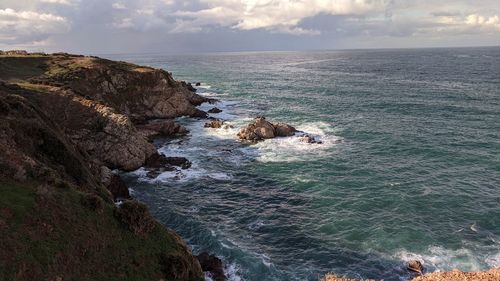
{"x":173,"y":26}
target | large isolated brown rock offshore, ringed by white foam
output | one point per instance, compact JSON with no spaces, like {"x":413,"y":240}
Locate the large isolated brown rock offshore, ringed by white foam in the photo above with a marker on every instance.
{"x":262,"y":129}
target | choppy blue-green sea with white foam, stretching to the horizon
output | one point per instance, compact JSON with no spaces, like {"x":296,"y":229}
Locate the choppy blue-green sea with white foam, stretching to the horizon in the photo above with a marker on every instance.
{"x":409,"y":167}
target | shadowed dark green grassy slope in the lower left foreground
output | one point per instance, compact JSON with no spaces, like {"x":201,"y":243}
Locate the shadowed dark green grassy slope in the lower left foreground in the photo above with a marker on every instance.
{"x":52,"y":232}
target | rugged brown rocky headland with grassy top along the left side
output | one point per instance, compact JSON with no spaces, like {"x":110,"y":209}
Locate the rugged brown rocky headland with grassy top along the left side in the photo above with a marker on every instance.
{"x":62,"y":120}
